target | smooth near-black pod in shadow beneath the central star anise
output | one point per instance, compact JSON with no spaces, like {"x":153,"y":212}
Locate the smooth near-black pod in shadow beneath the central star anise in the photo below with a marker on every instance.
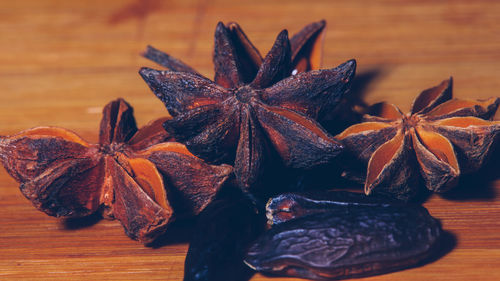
{"x":223,"y":233}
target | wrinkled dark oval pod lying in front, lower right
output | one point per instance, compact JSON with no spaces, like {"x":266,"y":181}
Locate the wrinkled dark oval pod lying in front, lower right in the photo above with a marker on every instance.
{"x":364,"y":241}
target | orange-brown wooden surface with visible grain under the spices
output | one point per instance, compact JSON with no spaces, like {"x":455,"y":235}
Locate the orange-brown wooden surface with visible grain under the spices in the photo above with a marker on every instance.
{"x":61,"y":61}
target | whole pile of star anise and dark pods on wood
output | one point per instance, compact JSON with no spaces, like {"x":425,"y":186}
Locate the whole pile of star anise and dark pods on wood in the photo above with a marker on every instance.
{"x":227,"y":141}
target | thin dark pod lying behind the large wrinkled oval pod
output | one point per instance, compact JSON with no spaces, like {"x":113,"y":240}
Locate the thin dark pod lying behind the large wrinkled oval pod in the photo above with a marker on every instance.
{"x":287,"y":206}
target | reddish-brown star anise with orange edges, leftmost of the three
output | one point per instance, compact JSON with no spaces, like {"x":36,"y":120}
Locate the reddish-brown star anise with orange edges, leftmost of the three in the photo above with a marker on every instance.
{"x":124,"y":175}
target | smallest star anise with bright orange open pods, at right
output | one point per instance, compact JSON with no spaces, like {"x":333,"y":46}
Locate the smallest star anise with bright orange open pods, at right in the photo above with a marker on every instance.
{"x":437,"y":141}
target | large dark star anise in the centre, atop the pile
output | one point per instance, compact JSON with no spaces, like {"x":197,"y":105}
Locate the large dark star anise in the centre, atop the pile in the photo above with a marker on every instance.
{"x":244,"y":119}
